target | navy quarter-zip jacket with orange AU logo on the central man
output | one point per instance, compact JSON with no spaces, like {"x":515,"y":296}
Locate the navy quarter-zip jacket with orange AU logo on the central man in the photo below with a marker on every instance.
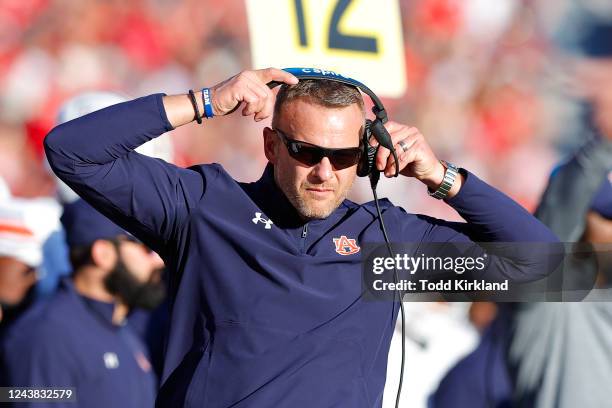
{"x":264,"y":314}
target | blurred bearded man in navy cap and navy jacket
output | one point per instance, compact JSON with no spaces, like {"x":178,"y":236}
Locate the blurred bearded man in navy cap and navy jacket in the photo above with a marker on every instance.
{"x":80,"y":337}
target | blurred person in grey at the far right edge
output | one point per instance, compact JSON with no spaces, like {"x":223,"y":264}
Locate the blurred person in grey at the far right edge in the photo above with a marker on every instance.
{"x":560,"y":353}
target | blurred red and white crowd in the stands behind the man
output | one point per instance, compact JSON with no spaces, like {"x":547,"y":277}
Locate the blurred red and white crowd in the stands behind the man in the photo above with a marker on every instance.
{"x":487,"y":80}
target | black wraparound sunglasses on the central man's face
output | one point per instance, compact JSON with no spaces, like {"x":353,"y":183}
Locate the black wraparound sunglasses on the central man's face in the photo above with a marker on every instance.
{"x":310,"y":154}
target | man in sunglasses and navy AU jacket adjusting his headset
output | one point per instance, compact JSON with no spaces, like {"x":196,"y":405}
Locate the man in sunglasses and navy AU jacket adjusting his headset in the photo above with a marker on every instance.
{"x":267,"y":305}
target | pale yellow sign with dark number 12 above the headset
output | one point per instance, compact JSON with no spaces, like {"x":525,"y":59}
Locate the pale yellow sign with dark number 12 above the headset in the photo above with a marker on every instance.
{"x":361,"y":39}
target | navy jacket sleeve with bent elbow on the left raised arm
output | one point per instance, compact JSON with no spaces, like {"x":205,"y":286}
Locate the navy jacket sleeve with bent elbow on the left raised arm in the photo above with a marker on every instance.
{"x":95,"y":156}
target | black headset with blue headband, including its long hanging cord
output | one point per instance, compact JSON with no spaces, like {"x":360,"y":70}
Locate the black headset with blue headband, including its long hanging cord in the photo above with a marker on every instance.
{"x":367,"y":166}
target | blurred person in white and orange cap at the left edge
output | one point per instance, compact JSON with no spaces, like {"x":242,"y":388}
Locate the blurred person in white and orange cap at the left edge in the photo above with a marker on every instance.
{"x":25,"y":225}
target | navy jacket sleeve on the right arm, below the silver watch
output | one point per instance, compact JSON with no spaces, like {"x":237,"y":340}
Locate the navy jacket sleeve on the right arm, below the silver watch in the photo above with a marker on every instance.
{"x":518,"y":247}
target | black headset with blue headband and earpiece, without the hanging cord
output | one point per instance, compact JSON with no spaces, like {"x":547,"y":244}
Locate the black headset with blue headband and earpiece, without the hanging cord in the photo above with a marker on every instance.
{"x":373,"y":128}
